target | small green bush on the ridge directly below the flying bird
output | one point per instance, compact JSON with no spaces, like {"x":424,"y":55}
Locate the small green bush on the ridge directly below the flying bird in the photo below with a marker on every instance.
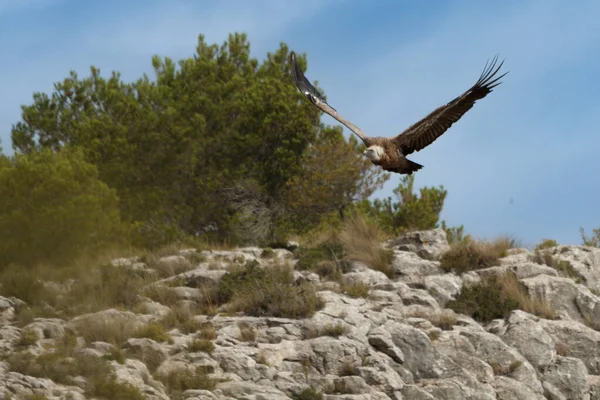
{"x":410,"y":211}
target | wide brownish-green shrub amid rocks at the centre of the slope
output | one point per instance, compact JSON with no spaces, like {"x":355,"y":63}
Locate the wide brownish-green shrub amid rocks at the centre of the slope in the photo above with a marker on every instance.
{"x":267,"y":292}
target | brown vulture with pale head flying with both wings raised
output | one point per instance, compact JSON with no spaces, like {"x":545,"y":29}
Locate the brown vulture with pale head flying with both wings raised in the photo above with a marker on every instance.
{"x":390,"y":152}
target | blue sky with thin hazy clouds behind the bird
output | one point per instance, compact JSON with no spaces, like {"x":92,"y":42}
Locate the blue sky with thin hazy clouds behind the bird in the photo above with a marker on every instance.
{"x":521,"y":162}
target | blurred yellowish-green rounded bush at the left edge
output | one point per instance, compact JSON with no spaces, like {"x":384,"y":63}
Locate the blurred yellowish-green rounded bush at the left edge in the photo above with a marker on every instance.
{"x":54,"y":208}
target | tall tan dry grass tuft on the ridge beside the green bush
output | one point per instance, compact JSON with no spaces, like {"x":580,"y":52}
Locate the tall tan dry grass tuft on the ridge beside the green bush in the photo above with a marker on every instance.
{"x":362,"y":241}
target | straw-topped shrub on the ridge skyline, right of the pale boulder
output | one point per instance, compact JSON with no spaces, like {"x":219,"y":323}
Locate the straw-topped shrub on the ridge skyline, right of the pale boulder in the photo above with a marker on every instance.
{"x":470,"y":254}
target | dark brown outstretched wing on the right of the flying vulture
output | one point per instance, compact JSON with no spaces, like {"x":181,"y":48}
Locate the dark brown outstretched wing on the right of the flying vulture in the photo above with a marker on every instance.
{"x":428,"y":129}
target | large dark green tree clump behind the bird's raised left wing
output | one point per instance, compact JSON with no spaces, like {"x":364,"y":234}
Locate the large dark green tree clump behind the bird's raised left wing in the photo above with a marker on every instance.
{"x":213,"y":146}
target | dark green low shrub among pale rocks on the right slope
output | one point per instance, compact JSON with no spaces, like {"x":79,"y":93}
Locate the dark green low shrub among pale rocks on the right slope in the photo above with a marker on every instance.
{"x":484,"y":302}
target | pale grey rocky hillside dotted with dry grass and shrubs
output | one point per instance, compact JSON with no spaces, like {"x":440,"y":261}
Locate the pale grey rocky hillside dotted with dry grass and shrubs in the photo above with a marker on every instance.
{"x":356,"y":336}
